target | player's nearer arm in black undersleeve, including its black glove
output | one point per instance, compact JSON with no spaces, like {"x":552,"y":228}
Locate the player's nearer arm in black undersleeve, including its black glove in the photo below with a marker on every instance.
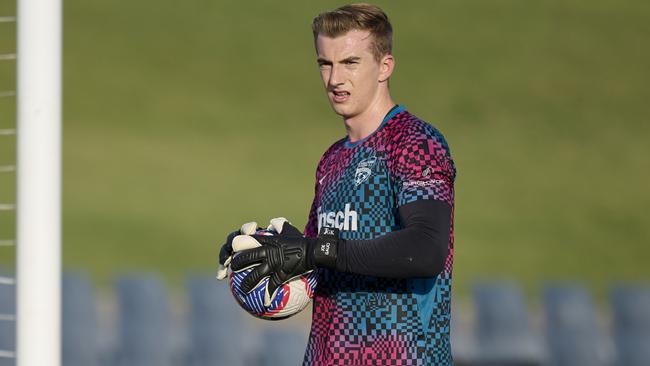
{"x":418,"y":250}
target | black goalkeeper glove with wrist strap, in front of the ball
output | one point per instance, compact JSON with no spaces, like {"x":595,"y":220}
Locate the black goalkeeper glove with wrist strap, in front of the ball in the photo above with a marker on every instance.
{"x":281,"y":257}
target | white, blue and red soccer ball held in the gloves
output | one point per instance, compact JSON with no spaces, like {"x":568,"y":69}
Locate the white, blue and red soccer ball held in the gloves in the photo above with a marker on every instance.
{"x":289,"y":299}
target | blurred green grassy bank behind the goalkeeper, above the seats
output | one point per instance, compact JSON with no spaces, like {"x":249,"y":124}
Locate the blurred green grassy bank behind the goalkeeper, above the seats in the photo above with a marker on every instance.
{"x":183,"y":120}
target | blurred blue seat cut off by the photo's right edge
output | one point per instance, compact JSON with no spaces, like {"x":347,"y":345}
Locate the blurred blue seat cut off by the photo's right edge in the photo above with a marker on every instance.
{"x":631,"y":315}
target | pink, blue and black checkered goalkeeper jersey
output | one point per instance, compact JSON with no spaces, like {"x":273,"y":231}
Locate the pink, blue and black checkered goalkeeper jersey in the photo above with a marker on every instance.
{"x":364,"y":320}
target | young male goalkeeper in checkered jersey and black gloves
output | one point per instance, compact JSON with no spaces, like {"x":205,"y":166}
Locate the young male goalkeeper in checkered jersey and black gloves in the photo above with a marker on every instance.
{"x":384,"y":206}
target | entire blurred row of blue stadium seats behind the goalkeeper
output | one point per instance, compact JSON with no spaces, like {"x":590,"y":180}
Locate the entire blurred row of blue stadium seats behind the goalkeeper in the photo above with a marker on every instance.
{"x":209,"y":329}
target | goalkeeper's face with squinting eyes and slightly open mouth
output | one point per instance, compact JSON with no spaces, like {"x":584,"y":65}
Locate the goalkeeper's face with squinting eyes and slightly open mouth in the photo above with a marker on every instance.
{"x":352,"y":77}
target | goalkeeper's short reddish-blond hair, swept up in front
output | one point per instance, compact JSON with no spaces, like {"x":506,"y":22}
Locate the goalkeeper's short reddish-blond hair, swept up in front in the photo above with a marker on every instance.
{"x":357,"y":17}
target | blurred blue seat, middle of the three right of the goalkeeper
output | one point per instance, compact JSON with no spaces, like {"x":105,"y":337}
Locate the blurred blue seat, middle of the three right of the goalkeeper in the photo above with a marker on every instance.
{"x":572,"y":332}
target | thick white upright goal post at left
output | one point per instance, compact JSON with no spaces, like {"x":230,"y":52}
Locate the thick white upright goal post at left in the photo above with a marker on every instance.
{"x":38,"y":188}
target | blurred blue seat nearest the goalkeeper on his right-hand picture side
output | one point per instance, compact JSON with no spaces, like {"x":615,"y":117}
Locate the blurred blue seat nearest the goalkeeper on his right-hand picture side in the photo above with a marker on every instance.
{"x":503,"y":329}
